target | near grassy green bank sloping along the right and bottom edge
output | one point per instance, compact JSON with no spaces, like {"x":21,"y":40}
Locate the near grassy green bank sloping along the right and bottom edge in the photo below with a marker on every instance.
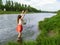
{"x":50,"y":32}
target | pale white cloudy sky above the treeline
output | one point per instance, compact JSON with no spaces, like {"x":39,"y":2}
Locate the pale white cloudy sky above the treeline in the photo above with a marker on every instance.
{"x":46,"y":5}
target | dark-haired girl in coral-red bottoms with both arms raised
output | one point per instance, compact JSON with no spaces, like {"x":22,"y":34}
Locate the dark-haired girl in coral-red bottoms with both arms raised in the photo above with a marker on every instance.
{"x":19,"y":27}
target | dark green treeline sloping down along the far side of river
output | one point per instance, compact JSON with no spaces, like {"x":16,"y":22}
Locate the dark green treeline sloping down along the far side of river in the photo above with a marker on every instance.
{"x":15,"y":6}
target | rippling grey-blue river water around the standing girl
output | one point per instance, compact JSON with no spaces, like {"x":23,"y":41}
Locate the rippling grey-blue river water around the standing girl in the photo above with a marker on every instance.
{"x":30,"y":29}
